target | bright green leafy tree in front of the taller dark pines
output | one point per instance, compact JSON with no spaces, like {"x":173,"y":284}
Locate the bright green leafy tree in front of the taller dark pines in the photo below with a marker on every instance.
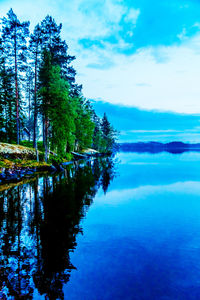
{"x":57,"y":107}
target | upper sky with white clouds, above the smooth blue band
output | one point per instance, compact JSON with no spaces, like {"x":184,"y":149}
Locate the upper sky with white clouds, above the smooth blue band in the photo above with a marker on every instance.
{"x":136,"y":53}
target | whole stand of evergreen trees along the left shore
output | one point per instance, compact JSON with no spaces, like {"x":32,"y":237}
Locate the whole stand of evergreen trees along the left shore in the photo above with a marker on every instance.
{"x":39,"y":96}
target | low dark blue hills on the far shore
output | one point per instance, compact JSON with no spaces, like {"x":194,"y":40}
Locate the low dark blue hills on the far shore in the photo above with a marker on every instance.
{"x":156,"y":147}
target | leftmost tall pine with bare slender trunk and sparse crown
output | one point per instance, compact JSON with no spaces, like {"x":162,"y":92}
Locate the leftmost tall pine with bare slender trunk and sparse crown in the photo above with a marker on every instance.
{"x":14,"y":34}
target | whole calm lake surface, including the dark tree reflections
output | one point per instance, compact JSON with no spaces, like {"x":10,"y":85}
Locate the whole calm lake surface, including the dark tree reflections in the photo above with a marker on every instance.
{"x":127,"y":228}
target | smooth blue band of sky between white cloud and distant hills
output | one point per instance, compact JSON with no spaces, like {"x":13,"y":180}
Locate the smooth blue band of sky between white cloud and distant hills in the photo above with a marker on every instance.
{"x":139,"y":125}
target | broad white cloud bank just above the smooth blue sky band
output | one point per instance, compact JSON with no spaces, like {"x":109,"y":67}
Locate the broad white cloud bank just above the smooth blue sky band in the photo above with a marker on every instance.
{"x":171,"y":76}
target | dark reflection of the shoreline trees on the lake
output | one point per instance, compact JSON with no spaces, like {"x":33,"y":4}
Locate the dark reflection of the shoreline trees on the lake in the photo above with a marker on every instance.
{"x":39,"y":222}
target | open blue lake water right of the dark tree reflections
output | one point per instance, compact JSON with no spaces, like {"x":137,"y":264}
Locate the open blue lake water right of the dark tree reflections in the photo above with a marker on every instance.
{"x":141,"y":240}
